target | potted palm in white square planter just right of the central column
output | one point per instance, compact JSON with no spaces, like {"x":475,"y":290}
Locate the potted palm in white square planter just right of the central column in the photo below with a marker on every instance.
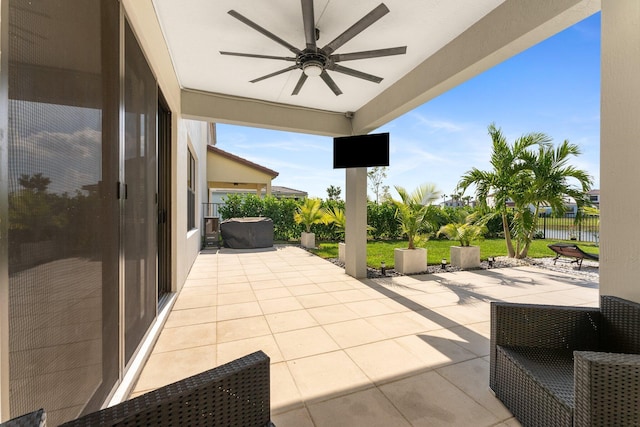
{"x":415,"y":210}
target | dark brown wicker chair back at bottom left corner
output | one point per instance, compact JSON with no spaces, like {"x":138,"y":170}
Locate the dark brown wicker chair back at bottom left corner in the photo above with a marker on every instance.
{"x":234,"y":394}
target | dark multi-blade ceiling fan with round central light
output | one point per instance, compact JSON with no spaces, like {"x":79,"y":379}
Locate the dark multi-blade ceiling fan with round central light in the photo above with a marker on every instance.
{"x":314,"y":60}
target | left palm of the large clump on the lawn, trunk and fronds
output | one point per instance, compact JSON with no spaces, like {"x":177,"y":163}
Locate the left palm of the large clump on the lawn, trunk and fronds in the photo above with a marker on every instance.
{"x":508,"y":176}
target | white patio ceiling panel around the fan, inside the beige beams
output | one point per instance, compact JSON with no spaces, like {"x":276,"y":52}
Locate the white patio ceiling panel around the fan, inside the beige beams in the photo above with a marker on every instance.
{"x":197,"y":30}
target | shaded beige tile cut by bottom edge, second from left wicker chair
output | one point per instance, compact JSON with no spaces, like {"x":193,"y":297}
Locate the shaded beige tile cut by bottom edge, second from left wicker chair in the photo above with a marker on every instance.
{"x":365,"y":408}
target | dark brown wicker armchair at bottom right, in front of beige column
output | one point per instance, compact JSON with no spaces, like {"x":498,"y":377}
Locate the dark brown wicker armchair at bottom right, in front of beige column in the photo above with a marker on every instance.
{"x":567,"y":366}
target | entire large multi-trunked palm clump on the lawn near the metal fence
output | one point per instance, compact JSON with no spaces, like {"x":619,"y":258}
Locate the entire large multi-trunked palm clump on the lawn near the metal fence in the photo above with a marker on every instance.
{"x":528,"y":178}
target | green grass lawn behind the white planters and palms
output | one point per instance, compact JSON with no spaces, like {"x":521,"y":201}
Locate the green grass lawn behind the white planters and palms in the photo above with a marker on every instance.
{"x":378,"y":251}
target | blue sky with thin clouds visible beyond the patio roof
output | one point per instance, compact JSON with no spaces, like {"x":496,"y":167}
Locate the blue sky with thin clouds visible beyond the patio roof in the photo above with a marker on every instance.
{"x":553,"y":87}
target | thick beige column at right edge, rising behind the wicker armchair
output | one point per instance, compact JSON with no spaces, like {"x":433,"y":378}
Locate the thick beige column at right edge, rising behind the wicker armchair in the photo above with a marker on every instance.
{"x":620,"y":150}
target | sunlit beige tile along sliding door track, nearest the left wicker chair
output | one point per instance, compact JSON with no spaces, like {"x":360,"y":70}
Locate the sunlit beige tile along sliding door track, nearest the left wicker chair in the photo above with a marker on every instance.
{"x":165,"y":368}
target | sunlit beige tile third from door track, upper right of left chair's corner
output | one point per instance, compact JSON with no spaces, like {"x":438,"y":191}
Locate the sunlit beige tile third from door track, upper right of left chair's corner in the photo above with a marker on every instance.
{"x":305,"y":342}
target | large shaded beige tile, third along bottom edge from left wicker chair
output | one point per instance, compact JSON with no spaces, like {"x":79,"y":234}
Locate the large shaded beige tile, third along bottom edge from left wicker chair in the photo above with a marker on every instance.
{"x":430,"y":400}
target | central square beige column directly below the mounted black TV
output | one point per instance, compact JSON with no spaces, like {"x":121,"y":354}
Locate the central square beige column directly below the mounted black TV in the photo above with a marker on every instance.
{"x":356,"y":228}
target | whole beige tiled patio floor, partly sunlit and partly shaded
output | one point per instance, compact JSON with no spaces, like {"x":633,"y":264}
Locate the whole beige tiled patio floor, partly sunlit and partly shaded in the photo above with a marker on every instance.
{"x":402,"y":351}
